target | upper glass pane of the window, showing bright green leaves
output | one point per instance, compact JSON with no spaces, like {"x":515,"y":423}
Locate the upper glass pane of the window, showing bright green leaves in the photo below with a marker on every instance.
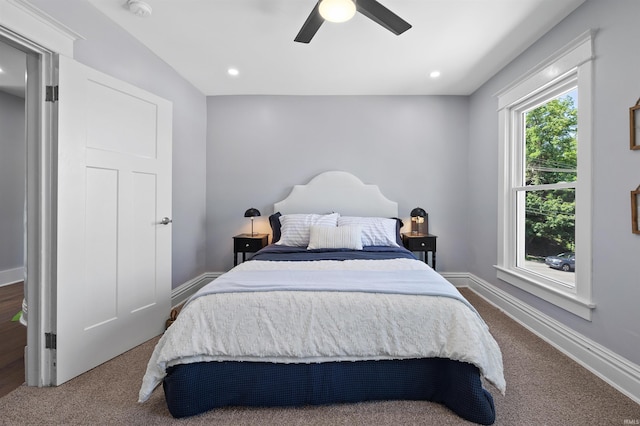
{"x":550,"y":139}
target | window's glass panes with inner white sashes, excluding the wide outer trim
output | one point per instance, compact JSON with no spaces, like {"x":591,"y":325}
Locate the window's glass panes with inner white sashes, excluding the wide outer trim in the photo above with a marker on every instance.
{"x":545,"y":180}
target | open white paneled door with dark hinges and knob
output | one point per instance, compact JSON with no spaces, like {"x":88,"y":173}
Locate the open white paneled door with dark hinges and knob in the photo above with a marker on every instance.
{"x":113,"y":266}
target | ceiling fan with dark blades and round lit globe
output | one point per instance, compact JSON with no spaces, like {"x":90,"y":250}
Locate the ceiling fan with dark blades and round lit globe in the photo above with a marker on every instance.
{"x":346,"y":9}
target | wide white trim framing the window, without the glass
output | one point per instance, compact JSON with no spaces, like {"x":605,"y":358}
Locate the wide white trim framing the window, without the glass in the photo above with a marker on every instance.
{"x":574,"y":59}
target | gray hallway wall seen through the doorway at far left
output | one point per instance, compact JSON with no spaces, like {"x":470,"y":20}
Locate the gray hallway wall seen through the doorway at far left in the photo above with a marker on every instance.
{"x":12,"y":181}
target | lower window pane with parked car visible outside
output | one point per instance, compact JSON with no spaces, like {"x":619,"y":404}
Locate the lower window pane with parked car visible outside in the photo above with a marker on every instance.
{"x":549,"y":230}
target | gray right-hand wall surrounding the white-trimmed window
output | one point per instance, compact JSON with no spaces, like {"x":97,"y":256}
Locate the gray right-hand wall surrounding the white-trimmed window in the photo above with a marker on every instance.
{"x":616,"y":171}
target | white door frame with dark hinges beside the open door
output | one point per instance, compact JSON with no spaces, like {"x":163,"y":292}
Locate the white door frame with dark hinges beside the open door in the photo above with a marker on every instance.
{"x":39,"y":199}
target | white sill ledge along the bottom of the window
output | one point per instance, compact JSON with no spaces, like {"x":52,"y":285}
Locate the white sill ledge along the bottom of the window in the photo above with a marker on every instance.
{"x":568,"y":301}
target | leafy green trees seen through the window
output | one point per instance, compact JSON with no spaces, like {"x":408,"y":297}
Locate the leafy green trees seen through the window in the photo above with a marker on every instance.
{"x":549,"y":177}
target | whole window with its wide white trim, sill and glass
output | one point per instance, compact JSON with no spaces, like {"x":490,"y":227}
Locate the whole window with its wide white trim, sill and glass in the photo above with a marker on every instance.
{"x":544,"y":241}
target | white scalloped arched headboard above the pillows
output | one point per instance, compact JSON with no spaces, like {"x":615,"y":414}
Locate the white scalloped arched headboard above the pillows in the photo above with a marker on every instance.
{"x":339,"y":192}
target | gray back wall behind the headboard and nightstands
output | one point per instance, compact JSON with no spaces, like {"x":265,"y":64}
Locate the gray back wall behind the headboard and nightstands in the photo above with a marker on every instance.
{"x":414,"y":147}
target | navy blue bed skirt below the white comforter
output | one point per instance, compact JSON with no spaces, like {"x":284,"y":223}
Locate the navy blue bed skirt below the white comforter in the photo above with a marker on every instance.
{"x":192,"y":389}
